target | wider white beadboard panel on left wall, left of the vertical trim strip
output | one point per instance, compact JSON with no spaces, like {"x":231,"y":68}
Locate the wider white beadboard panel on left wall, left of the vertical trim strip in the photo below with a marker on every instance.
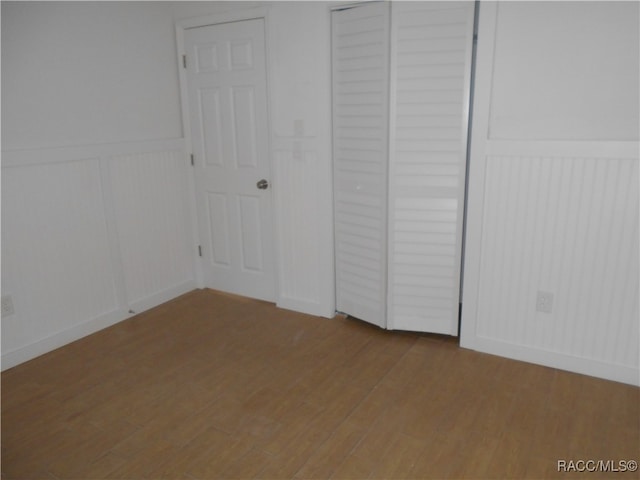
{"x":56,"y":258}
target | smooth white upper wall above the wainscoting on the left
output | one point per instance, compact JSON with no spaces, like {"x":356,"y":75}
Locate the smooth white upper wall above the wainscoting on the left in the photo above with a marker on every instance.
{"x":84,"y":73}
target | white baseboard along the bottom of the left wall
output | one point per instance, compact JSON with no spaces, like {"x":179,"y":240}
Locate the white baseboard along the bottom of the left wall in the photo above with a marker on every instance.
{"x":60,"y":339}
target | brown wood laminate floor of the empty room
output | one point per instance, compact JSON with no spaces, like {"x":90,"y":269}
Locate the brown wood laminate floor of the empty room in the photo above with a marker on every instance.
{"x":216,"y":386}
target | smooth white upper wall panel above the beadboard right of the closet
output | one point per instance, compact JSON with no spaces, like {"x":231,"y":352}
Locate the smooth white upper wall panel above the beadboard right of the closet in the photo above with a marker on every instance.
{"x":566,"y":71}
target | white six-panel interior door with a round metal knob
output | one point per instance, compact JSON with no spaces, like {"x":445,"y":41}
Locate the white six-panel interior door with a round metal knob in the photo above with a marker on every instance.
{"x":226,"y":78}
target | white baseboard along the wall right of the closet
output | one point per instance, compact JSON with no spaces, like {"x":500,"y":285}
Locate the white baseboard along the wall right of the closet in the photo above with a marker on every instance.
{"x":584,"y":366}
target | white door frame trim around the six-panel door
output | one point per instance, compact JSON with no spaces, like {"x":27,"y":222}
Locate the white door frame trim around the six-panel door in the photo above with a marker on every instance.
{"x":201,"y":21}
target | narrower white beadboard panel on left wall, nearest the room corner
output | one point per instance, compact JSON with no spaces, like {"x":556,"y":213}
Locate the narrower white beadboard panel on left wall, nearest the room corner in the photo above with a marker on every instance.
{"x":151,"y":205}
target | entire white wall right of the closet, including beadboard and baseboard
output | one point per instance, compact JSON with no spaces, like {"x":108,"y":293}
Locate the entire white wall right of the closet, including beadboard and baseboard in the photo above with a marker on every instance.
{"x":553,"y":187}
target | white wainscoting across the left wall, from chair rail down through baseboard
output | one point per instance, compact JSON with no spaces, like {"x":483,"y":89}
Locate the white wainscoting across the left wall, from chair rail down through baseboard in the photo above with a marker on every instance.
{"x":88,"y":234}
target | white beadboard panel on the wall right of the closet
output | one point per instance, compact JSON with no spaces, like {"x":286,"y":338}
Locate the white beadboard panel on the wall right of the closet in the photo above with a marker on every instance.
{"x":567,"y":226}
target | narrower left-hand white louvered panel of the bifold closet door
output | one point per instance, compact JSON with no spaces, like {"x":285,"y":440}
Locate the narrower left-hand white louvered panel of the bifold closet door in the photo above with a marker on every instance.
{"x":360,"y":46}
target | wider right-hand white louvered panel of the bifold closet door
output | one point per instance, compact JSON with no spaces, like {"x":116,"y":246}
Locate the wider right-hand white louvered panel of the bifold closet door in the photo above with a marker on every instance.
{"x":431,"y":64}
